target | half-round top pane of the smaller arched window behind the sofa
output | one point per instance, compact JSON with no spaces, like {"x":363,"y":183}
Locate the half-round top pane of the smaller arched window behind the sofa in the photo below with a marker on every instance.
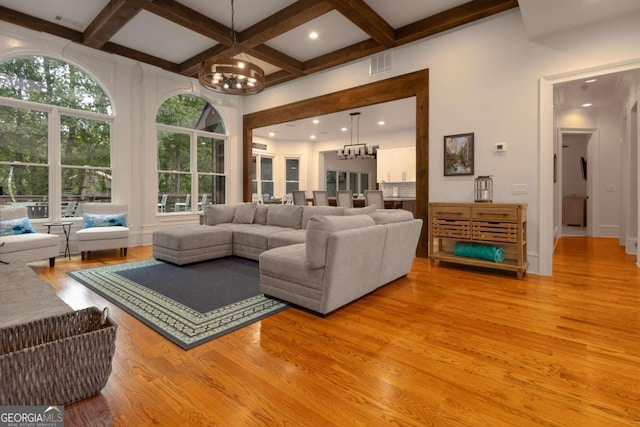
{"x":190,"y":112}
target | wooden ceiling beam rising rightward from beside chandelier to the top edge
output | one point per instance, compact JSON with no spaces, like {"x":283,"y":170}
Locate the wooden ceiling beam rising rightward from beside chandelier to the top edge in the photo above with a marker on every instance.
{"x":285,"y":20}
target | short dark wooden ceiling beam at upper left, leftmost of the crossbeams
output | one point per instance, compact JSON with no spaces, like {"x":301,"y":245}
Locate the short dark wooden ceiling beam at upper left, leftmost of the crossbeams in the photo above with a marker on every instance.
{"x":109,"y":21}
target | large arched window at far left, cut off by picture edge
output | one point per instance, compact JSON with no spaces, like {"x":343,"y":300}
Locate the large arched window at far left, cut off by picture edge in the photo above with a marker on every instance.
{"x":55,"y":121}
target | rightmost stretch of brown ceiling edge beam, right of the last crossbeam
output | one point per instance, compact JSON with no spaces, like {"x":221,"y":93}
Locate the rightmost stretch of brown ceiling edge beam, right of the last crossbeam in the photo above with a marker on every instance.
{"x":454,"y":17}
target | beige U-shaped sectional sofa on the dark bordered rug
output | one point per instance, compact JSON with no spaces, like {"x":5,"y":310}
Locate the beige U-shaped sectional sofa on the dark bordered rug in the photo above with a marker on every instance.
{"x":317,"y":257}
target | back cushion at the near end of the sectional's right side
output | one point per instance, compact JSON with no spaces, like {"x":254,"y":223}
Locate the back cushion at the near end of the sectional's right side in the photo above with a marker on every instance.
{"x":319,"y":229}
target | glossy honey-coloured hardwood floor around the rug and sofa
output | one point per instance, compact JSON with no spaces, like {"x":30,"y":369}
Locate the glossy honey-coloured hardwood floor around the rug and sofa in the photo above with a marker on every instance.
{"x":445,"y":346}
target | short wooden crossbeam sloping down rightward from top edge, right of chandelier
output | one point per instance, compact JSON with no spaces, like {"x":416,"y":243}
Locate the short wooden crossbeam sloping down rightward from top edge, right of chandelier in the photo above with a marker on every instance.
{"x":367,"y":19}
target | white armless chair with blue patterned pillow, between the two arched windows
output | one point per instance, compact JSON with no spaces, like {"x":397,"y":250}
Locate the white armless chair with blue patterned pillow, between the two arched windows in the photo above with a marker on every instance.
{"x":104,"y":228}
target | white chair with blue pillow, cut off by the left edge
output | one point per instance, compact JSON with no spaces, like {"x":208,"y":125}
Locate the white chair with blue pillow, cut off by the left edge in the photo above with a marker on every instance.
{"x":25,"y":247}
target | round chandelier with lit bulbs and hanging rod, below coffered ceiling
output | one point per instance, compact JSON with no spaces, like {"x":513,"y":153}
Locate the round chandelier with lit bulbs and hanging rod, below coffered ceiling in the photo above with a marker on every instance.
{"x":231,"y":75}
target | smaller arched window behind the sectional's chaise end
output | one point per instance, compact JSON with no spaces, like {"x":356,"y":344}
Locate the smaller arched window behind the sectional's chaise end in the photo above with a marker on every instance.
{"x":191,"y":155}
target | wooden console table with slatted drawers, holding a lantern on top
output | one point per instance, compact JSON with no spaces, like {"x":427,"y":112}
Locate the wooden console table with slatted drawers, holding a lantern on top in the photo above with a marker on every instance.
{"x":496,"y":224}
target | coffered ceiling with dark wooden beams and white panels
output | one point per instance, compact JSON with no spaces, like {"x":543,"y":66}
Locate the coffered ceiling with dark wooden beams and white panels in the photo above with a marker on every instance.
{"x":177,"y":35}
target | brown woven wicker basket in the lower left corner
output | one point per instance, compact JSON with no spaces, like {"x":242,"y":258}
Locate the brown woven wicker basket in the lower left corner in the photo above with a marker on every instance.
{"x":56,"y":360}
